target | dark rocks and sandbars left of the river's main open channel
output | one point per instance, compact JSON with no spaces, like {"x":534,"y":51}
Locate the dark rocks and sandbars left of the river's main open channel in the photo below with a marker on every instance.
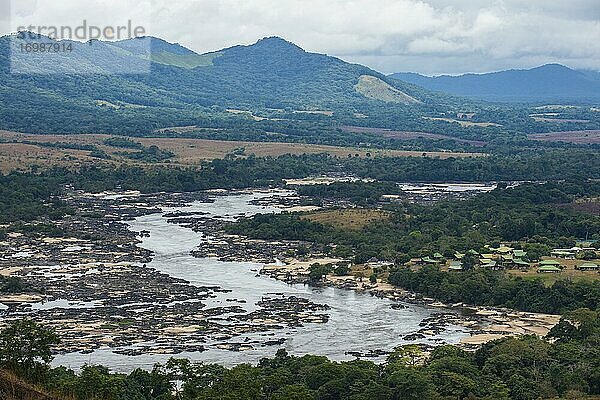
{"x":96,"y":289}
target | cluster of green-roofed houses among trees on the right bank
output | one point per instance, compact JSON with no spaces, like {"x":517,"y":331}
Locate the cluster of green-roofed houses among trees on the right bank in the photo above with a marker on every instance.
{"x":505,"y":257}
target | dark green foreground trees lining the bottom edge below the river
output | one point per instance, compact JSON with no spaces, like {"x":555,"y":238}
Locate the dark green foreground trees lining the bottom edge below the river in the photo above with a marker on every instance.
{"x":567,"y":366}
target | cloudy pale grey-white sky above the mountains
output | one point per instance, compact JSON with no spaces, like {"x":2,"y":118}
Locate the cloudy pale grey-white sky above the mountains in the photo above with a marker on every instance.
{"x":426,"y":36}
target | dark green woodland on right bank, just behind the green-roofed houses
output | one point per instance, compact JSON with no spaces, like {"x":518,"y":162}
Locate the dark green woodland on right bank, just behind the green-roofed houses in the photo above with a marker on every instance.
{"x":535,"y":216}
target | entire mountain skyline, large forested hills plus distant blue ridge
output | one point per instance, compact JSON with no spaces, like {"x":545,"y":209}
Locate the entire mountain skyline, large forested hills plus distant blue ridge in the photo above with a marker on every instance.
{"x":271,"y":88}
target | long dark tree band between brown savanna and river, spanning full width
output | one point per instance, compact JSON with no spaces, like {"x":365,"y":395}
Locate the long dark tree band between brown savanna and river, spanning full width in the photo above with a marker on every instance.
{"x":22,"y":195}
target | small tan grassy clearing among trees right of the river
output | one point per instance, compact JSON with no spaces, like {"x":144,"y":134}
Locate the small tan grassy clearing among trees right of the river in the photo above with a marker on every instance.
{"x":347,"y":219}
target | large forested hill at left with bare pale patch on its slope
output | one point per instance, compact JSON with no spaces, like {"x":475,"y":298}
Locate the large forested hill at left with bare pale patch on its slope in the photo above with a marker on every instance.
{"x":170,"y":85}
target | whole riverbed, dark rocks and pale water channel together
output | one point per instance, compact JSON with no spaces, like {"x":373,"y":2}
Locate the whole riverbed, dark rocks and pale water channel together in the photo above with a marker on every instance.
{"x":130,"y":279}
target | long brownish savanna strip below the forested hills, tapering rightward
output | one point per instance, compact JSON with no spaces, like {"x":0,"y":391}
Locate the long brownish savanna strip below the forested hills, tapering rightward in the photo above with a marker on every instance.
{"x":21,"y":151}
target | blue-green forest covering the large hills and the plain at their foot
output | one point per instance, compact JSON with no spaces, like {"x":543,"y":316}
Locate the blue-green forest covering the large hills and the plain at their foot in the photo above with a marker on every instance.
{"x":274,"y":80}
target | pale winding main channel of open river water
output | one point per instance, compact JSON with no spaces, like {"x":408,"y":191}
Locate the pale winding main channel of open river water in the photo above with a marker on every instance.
{"x":358,"y":322}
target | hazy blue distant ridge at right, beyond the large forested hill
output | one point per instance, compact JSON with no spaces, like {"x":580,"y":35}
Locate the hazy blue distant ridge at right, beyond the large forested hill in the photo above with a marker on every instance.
{"x":548,"y":83}
